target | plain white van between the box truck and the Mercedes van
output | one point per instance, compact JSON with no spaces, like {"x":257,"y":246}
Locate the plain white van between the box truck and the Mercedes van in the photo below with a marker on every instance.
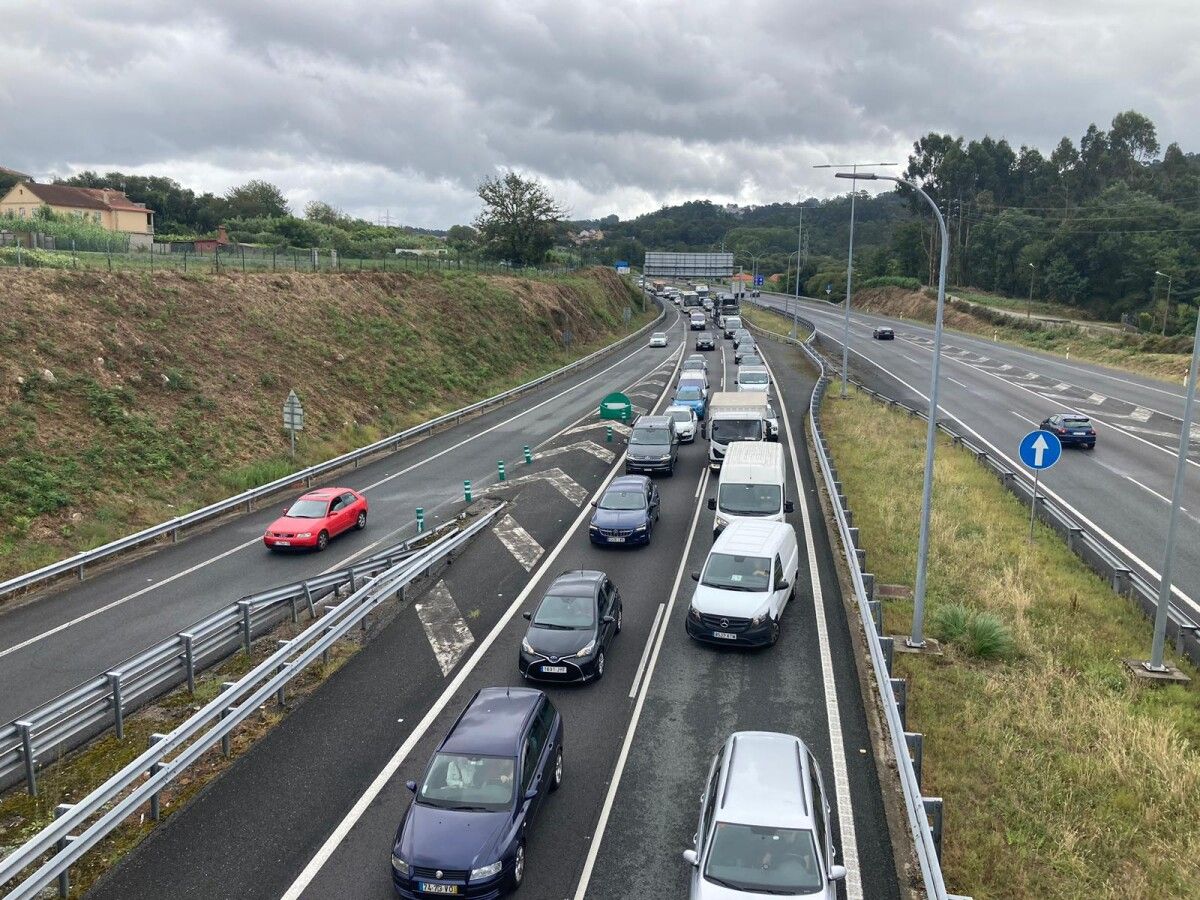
{"x":752,"y":485}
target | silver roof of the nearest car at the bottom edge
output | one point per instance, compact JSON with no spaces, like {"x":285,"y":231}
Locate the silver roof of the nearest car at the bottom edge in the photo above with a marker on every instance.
{"x":765,"y":781}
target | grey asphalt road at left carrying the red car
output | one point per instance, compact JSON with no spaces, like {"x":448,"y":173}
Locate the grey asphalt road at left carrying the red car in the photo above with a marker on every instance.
{"x":81,"y":629}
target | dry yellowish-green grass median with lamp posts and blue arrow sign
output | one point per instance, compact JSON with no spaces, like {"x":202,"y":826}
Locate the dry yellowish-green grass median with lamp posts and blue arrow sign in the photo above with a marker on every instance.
{"x":1063,"y":778}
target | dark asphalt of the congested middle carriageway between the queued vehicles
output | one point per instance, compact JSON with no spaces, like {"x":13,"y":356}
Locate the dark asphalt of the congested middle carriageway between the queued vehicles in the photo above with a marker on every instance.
{"x":311,"y":811}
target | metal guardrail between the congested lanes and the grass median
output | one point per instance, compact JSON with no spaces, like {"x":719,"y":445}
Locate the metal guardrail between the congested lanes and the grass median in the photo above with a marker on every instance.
{"x":907,"y":747}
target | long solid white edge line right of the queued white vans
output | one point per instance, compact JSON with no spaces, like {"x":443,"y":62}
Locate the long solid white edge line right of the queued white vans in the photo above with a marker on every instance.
{"x":833,"y":713}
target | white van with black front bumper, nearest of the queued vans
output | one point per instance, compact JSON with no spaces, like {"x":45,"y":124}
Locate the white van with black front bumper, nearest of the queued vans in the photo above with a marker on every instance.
{"x":747,"y":581}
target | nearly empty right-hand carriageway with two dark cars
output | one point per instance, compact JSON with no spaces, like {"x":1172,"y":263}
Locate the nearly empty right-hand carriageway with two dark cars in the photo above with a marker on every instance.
{"x":999,"y":393}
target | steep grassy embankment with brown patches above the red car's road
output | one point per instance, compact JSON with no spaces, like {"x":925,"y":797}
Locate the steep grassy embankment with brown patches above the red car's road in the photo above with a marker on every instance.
{"x":165,"y":393}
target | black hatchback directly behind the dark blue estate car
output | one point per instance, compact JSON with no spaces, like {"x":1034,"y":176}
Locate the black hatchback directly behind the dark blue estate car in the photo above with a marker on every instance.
{"x":572,"y":628}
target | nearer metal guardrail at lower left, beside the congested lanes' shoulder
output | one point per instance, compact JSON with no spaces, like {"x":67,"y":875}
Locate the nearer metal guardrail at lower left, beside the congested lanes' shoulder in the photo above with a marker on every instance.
{"x":145,"y":778}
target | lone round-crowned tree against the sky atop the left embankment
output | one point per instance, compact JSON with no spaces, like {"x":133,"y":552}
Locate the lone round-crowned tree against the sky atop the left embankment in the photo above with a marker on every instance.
{"x":519,"y":219}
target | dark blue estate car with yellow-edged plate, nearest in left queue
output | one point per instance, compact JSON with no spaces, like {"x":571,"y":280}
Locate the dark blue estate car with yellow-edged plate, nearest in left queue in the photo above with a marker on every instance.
{"x":465,"y":832}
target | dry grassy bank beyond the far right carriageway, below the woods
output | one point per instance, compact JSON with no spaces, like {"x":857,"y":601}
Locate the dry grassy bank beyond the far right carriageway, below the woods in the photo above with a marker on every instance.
{"x":1165,"y":358}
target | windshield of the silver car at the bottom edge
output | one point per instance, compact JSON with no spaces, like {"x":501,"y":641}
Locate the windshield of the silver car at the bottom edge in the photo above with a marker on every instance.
{"x":771,"y":861}
